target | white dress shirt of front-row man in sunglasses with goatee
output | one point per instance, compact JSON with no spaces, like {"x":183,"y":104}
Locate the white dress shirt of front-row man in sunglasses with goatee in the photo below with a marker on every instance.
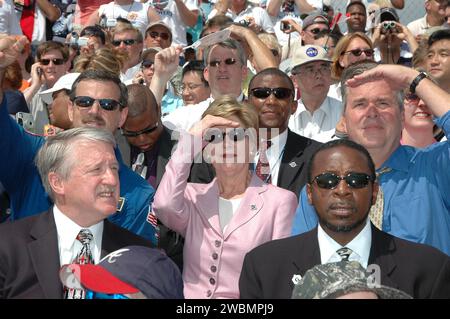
{"x":360,"y":246}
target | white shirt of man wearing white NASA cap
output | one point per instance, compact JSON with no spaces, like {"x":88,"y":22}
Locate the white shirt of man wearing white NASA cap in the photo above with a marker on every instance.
{"x":320,"y":125}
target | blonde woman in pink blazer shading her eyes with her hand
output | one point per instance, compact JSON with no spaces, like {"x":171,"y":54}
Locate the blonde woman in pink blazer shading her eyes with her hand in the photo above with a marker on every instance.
{"x":223,"y":220}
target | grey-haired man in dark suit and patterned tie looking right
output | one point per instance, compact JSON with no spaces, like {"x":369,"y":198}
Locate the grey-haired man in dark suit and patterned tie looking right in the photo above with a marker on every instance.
{"x":79,"y":171}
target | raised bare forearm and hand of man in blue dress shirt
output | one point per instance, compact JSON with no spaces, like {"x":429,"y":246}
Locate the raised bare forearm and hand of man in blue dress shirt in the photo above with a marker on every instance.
{"x":399,"y":78}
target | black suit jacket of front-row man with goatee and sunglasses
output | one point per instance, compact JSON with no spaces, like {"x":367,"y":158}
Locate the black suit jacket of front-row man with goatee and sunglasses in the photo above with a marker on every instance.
{"x":417,"y":269}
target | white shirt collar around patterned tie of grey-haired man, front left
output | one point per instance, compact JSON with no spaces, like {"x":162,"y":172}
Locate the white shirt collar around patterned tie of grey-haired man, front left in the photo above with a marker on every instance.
{"x":68,"y":230}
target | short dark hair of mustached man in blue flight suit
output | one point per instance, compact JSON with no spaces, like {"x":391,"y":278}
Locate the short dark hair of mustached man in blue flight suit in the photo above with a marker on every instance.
{"x":102,"y":76}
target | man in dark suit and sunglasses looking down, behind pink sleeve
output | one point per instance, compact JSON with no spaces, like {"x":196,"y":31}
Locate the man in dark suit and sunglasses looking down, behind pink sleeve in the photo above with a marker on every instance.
{"x":151,"y":146}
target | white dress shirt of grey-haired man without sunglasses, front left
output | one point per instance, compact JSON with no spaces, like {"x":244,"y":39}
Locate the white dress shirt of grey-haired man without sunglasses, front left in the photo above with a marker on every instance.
{"x":68,"y":245}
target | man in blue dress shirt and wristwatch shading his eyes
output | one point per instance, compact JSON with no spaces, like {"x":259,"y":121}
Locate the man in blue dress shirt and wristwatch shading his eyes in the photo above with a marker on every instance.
{"x":415,"y":182}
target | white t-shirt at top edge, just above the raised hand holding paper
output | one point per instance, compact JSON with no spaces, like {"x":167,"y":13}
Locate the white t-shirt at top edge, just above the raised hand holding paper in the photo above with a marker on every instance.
{"x":168,"y":11}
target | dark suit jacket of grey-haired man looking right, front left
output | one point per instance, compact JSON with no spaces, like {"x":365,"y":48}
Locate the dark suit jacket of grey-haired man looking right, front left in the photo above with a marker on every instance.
{"x":29,"y":255}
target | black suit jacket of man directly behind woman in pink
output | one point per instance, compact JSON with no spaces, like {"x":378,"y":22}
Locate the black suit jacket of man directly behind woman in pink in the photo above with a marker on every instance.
{"x":292,"y":174}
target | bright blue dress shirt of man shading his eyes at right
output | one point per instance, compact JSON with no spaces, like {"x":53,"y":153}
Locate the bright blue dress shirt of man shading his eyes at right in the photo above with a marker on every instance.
{"x":416,"y":195}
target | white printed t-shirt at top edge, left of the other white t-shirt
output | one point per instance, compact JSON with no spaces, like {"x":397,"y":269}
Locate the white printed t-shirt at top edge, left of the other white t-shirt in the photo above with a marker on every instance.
{"x":135,"y":12}
